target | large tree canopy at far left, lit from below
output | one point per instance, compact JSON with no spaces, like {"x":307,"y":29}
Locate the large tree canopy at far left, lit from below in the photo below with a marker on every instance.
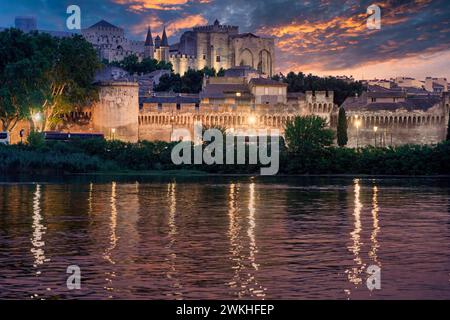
{"x":41,"y":73}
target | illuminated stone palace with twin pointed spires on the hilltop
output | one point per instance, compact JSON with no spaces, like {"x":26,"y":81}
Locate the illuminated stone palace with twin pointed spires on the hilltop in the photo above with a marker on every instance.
{"x":215,"y":46}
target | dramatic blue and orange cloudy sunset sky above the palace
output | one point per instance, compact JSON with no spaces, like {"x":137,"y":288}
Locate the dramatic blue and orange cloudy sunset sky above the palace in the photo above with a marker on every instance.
{"x":324,"y":37}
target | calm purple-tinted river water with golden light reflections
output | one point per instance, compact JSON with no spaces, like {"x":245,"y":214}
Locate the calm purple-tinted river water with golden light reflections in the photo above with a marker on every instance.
{"x":225,"y":238}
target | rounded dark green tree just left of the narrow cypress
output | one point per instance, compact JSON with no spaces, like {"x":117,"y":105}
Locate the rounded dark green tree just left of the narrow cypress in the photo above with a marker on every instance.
{"x":307,"y":134}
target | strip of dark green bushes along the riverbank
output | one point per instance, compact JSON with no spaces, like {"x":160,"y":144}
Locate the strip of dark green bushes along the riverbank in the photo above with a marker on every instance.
{"x":91,"y":156}
